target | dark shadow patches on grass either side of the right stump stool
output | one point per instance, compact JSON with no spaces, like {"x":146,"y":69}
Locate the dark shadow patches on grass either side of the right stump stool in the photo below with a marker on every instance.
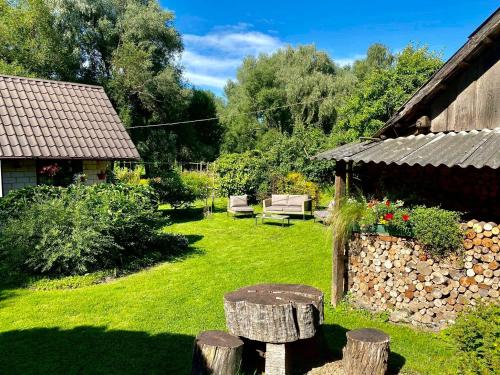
{"x":335,"y":339}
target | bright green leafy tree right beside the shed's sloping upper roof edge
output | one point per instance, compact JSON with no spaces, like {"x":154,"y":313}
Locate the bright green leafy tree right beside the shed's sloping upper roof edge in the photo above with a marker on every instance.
{"x":385,"y":88}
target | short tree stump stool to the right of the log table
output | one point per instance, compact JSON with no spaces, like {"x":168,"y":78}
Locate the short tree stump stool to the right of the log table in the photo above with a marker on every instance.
{"x":366,"y":352}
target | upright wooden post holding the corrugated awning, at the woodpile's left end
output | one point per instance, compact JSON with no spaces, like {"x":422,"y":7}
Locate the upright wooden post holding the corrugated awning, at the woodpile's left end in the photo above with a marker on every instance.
{"x":338,"y":246}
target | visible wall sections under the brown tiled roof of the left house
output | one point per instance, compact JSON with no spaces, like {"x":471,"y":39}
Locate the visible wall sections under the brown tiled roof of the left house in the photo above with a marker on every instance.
{"x":17,"y":174}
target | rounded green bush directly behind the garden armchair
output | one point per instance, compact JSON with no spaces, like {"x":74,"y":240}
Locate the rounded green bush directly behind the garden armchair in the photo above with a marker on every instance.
{"x":240,"y":173}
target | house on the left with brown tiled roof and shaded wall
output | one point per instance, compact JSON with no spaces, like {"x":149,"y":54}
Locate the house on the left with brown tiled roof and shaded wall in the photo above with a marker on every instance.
{"x":51,"y":131}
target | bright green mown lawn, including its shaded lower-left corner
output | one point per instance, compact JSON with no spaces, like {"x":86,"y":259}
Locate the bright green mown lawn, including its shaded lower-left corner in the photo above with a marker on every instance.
{"x":146,"y":322}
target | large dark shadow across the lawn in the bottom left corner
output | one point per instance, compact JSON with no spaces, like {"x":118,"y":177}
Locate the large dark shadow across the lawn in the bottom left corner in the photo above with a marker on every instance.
{"x":93,"y":350}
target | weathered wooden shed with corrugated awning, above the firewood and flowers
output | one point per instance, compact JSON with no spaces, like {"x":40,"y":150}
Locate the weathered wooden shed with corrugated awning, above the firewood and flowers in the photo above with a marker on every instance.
{"x":442,"y":147}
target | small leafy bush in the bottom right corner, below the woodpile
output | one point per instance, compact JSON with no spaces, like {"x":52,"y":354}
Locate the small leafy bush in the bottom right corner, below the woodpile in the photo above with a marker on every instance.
{"x":476,"y":335}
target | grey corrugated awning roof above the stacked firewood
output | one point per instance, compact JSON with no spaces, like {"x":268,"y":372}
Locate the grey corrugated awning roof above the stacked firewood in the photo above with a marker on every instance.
{"x":476,"y":148}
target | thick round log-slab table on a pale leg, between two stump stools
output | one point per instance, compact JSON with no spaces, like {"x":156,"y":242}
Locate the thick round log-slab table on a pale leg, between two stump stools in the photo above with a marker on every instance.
{"x":275,"y":314}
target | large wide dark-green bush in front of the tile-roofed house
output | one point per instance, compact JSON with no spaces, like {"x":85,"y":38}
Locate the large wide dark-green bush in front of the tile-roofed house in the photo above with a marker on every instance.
{"x":80,"y":229}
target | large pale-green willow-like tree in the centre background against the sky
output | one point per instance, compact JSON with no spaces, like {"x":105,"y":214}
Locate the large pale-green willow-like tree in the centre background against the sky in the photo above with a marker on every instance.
{"x":302,"y":86}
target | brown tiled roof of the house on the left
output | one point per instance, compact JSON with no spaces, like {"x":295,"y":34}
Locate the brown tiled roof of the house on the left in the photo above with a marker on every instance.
{"x":62,"y":120}
